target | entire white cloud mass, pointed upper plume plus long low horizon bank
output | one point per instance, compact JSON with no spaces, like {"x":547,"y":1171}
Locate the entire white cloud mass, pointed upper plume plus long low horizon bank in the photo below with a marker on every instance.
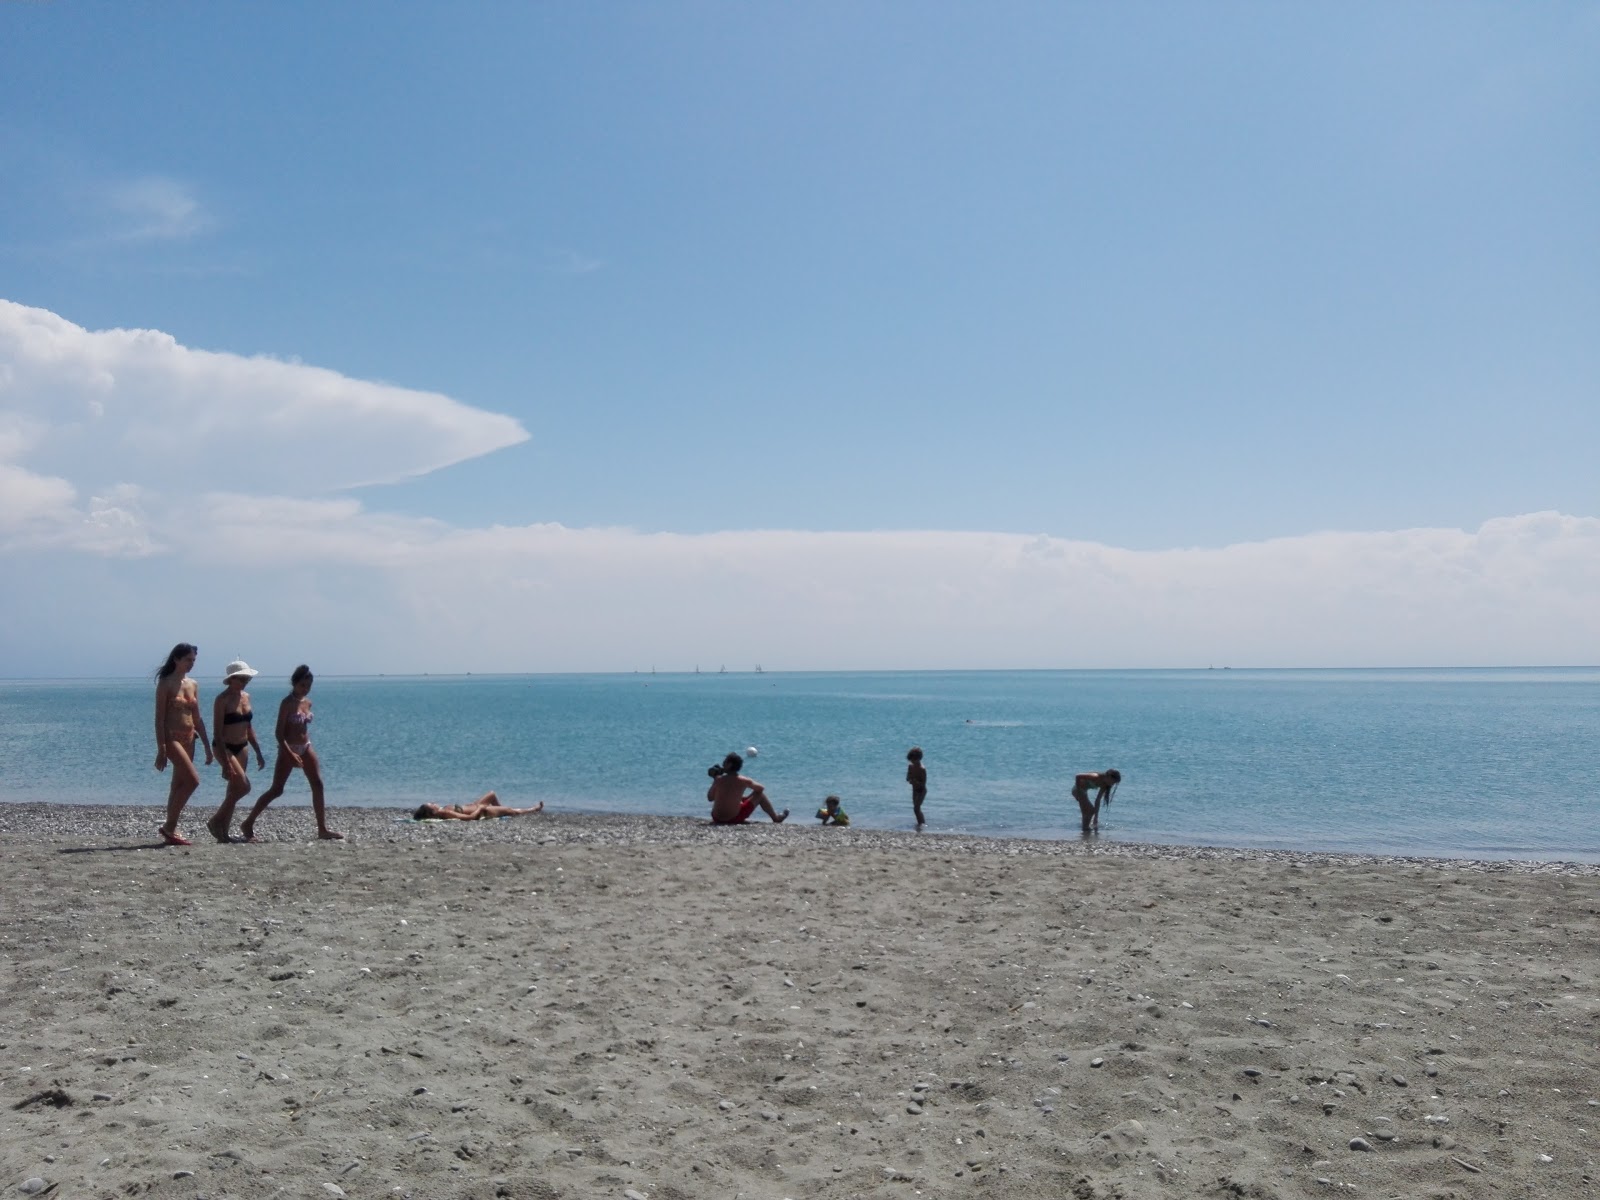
{"x":178,"y":543}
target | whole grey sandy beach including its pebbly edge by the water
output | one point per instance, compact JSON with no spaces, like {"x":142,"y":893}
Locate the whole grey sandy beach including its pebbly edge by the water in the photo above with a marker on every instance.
{"x":649,"y":1007}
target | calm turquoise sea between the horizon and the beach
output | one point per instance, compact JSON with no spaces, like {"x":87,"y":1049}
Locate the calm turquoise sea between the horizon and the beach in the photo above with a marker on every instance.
{"x":1482,"y":764}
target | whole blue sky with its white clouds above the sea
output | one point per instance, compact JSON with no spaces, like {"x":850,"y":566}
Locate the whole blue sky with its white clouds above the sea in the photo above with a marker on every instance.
{"x":494,"y":337}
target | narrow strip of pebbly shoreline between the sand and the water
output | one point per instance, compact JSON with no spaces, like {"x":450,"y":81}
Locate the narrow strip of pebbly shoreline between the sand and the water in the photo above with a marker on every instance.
{"x":46,"y":823}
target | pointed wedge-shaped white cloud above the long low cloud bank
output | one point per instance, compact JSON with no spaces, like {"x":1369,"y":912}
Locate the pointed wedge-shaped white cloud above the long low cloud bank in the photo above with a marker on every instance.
{"x":137,"y":407}
